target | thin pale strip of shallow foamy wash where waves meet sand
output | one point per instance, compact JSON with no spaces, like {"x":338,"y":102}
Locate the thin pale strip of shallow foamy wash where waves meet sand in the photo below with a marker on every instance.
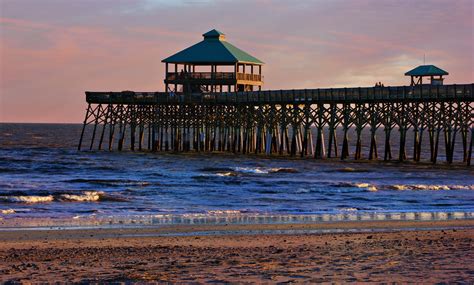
{"x":230,"y":217}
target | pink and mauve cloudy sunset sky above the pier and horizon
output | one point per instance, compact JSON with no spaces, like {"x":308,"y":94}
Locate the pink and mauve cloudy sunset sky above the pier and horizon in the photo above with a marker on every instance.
{"x":51,"y":51}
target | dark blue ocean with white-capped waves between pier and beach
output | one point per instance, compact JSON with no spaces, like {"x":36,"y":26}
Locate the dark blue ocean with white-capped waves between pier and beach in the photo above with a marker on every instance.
{"x":44,"y":180}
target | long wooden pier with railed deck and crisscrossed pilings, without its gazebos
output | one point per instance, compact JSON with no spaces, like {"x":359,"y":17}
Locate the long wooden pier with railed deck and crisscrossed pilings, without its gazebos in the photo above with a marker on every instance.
{"x":305,"y":122}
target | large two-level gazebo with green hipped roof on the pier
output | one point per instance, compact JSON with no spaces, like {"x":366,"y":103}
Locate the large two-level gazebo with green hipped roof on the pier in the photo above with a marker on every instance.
{"x":213,"y":65}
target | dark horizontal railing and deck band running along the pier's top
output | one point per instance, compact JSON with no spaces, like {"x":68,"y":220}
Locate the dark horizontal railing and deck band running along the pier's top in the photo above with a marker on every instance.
{"x":295,"y":96}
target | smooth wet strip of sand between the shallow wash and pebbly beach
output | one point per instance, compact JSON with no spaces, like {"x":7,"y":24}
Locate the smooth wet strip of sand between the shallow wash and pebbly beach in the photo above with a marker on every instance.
{"x":131,"y":230}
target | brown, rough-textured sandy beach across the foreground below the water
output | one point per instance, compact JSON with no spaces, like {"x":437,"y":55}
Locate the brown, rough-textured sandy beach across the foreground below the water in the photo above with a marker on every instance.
{"x":396,"y":251}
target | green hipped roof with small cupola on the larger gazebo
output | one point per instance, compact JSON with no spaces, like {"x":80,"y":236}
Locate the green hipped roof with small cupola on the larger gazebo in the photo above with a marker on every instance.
{"x":214,"y":49}
